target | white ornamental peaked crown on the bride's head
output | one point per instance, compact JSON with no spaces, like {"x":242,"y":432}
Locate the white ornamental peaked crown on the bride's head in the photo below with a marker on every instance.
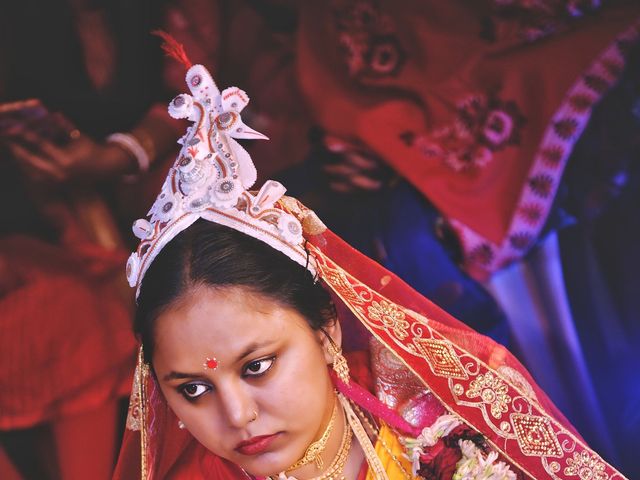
{"x":210,"y":179}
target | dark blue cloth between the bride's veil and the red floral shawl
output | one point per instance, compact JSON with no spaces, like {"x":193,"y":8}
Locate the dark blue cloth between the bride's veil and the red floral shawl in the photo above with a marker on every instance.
{"x":397,"y":227}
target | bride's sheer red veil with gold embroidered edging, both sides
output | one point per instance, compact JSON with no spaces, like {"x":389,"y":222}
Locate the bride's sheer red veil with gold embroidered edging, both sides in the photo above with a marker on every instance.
{"x":470,"y":375}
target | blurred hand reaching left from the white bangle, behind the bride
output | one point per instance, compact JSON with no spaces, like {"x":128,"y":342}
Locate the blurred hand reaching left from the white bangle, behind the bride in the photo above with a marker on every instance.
{"x":81,"y":158}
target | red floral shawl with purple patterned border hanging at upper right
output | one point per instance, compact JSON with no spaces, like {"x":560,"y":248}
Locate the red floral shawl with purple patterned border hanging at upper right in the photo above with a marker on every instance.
{"x":477,"y":104}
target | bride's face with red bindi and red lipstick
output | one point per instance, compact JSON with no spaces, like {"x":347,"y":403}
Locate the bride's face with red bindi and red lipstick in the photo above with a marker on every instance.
{"x":270,"y":363}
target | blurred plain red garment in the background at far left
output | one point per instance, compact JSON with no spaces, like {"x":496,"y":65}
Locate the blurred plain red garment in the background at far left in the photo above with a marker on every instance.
{"x":66,"y":346}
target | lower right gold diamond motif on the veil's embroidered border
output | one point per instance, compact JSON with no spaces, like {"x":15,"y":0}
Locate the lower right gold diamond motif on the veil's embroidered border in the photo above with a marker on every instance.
{"x":535,"y":435}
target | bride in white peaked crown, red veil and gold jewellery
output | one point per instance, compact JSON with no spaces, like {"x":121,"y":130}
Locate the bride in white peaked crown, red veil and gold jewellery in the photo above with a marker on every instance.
{"x":272,"y":349}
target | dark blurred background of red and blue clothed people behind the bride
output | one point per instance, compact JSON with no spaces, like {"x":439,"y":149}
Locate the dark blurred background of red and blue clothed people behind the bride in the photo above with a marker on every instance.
{"x":487,"y":151}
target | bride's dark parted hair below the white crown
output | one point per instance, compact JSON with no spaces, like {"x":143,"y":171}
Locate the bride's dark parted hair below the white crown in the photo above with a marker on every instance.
{"x":209,"y":254}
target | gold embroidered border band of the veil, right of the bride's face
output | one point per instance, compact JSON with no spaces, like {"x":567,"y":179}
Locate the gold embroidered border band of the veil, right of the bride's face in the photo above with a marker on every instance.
{"x":529,"y":428}
